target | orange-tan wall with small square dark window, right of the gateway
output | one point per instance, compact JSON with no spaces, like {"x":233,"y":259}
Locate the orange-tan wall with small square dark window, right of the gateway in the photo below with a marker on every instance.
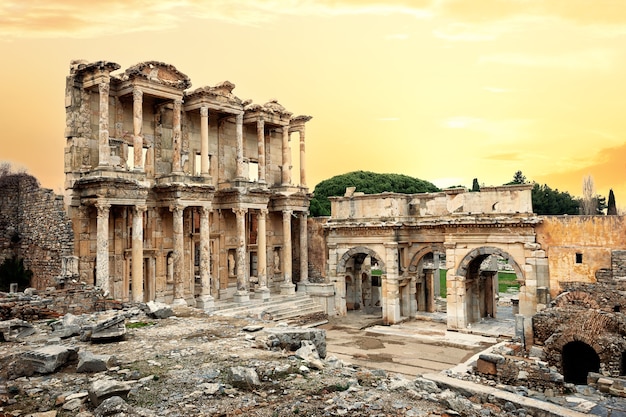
{"x":578,"y":247}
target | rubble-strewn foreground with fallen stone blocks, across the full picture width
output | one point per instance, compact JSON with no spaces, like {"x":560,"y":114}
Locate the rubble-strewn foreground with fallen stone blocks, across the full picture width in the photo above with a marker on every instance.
{"x":191,"y":363}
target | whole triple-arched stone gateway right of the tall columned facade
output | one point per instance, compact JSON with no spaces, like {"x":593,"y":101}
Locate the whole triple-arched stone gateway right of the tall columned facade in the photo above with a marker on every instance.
{"x":413,"y":237}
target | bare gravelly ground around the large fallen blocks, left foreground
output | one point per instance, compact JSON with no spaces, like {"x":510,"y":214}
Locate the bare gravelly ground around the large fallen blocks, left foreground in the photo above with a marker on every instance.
{"x":181,"y":366}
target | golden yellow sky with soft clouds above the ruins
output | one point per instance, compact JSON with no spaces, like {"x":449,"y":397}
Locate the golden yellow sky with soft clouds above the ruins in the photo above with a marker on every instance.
{"x":442,"y":90}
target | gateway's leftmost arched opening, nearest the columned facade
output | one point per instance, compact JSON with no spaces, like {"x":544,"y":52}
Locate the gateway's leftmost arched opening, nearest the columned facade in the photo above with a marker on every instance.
{"x":362,"y":269}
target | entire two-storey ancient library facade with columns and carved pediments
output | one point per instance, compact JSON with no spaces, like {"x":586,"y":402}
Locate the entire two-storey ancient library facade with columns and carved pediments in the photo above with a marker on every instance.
{"x":181,"y":195}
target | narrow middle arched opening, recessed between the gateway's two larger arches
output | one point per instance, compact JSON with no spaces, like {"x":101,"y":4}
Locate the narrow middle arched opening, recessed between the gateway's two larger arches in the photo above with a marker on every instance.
{"x":427,"y":265}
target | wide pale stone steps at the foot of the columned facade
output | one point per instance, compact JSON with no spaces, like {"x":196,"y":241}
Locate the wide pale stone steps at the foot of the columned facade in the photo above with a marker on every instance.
{"x":277,"y":308}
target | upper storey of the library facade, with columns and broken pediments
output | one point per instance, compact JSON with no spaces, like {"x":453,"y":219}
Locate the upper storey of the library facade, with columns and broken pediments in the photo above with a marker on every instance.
{"x":146,"y":121}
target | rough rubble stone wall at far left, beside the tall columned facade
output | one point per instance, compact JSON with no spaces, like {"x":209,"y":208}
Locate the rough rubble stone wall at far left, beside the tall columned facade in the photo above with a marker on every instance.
{"x":34,"y":226}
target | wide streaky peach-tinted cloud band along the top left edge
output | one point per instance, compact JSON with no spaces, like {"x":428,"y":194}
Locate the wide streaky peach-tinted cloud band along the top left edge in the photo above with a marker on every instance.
{"x":73,"y":18}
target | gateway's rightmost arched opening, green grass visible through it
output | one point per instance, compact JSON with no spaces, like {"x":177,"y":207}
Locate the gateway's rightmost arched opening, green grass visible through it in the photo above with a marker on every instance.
{"x":488,"y":271}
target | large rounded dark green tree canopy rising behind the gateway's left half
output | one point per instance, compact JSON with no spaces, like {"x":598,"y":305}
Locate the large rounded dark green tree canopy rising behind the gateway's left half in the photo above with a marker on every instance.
{"x":366,"y":182}
